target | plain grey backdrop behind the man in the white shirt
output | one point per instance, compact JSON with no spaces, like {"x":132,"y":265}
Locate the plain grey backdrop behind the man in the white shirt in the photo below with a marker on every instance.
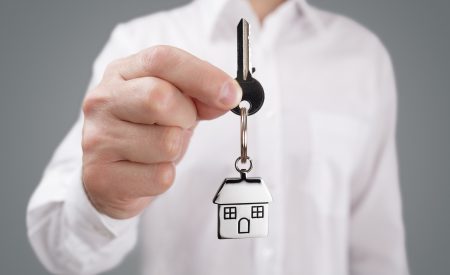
{"x":47,"y":48}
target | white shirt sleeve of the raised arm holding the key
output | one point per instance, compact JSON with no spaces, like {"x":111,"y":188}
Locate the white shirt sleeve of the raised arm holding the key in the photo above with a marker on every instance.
{"x":67,"y":233}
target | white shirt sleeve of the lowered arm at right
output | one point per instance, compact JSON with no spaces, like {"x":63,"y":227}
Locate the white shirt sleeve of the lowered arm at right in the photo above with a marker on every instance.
{"x":377,"y":240}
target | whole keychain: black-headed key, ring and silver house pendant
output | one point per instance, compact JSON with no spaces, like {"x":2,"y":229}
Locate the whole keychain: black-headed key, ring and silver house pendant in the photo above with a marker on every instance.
{"x":243,"y":202}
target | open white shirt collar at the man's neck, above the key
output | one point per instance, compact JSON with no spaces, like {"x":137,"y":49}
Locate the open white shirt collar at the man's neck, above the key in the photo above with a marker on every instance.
{"x":214,"y":9}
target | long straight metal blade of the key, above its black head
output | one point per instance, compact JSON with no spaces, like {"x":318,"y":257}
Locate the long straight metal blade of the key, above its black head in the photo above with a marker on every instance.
{"x":243,"y":49}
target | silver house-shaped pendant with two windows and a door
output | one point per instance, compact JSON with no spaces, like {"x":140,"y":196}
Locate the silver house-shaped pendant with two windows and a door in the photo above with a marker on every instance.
{"x":242,"y":208}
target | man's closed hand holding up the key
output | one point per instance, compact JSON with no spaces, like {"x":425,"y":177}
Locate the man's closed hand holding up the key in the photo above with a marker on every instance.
{"x":138,"y":122}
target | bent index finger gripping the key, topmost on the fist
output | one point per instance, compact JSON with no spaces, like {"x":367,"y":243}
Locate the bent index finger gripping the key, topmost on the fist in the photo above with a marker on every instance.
{"x":216,"y":90}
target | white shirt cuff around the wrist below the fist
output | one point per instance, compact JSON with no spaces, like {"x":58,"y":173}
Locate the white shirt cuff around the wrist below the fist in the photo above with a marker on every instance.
{"x":82,"y":214}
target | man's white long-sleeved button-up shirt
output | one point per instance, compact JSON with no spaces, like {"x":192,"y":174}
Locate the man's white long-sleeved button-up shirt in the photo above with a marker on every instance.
{"x":324,"y":142}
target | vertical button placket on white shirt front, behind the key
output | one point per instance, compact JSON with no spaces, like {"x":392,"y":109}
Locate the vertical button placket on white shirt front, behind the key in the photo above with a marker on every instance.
{"x":268,"y":131}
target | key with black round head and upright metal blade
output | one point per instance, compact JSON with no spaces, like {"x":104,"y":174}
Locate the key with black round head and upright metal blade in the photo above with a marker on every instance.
{"x":252,"y":90}
